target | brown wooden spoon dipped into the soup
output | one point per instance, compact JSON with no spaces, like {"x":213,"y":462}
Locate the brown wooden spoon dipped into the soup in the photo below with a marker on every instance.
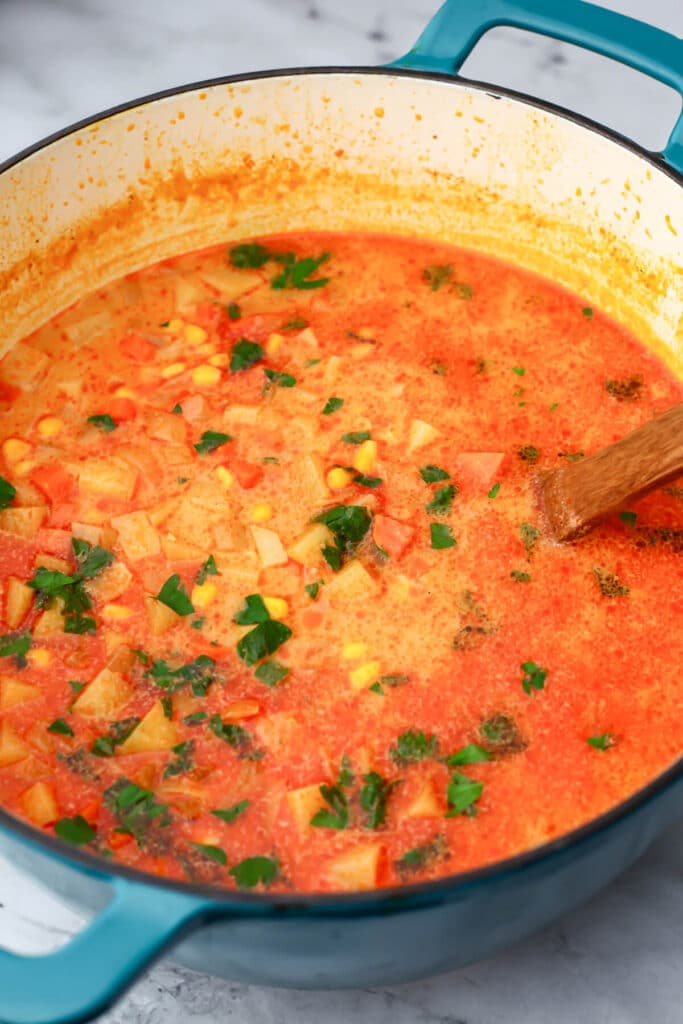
{"x":579,"y":495}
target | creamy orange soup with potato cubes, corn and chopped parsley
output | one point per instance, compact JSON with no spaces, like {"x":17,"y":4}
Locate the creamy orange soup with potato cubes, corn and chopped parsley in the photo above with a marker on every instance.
{"x":278,"y":607}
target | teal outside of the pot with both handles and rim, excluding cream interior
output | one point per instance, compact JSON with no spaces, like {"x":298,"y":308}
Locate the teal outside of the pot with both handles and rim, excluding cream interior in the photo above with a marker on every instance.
{"x":365,"y":940}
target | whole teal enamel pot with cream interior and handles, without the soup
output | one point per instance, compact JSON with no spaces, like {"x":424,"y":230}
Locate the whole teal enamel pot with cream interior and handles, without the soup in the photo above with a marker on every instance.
{"x":409,"y":149}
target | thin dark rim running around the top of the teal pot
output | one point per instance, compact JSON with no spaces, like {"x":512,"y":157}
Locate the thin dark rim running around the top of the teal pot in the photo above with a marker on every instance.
{"x":397,"y":899}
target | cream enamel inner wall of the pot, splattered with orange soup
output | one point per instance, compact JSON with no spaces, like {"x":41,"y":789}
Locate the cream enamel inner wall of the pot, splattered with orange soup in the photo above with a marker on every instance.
{"x":348,"y":151}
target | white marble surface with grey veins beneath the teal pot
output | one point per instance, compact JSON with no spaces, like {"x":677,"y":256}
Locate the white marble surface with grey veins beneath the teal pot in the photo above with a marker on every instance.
{"x":617,"y":961}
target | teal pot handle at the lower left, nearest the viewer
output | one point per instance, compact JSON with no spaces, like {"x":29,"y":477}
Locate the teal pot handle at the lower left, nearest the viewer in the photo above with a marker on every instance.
{"x":80,"y":980}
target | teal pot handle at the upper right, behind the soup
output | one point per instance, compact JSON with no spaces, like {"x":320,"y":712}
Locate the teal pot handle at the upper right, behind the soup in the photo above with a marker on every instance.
{"x":459,"y":25}
